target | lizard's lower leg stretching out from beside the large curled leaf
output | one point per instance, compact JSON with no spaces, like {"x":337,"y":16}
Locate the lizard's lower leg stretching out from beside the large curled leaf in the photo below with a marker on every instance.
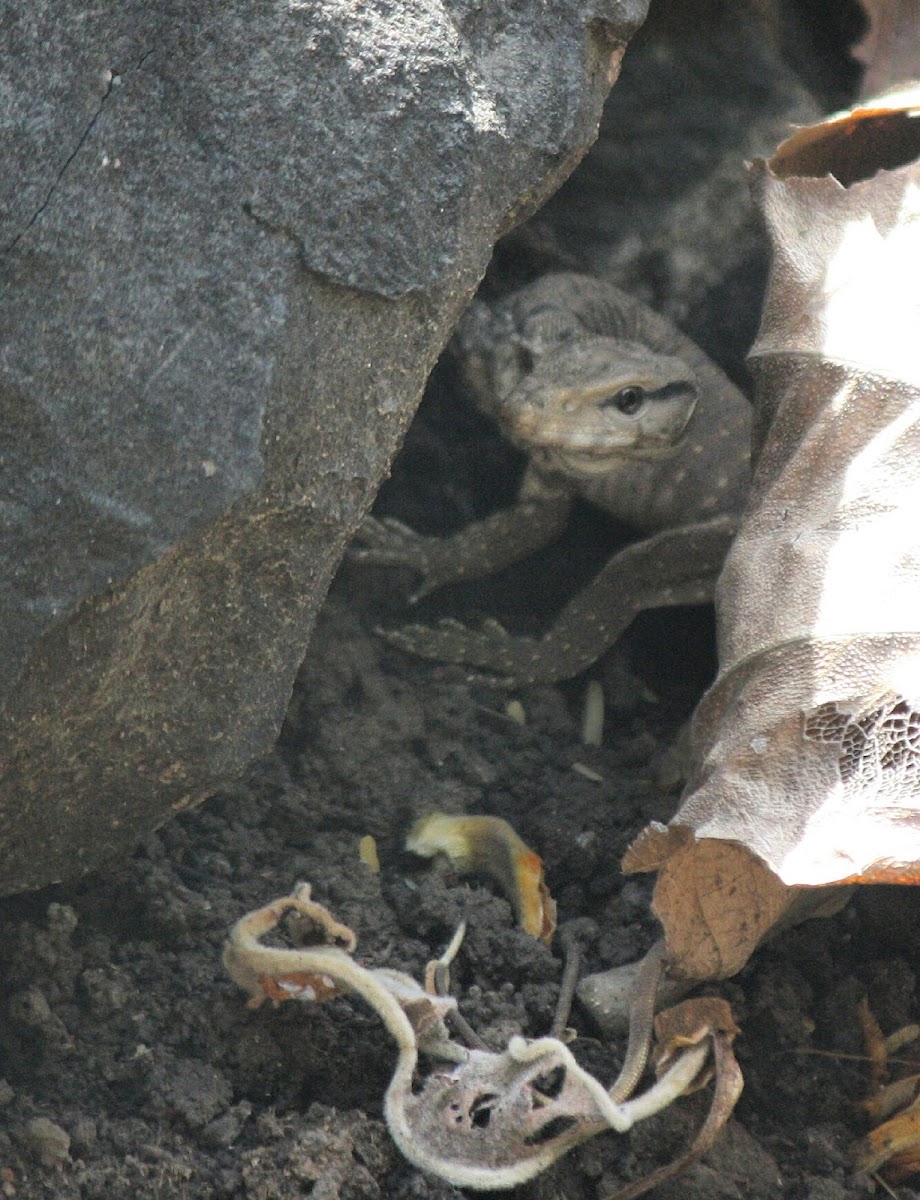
{"x":675,"y":567}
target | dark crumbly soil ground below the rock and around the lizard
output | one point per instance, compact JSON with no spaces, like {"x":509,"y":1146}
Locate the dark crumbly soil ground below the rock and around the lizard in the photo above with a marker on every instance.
{"x":130,"y":1066}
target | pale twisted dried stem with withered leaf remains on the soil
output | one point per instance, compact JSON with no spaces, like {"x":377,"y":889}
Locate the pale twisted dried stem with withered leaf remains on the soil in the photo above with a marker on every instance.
{"x":479,"y":1120}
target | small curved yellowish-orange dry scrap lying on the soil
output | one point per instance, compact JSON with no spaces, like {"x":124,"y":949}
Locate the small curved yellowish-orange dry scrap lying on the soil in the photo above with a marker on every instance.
{"x":489,"y":845}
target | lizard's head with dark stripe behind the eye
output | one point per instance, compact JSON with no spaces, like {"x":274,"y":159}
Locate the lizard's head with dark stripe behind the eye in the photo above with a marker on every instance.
{"x":593,"y":400}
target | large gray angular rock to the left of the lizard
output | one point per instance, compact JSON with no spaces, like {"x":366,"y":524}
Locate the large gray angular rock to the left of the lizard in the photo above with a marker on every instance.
{"x":236,"y":238}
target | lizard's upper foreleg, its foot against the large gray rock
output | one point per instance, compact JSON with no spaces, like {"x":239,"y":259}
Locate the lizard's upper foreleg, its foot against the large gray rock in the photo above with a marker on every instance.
{"x":538,"y":518}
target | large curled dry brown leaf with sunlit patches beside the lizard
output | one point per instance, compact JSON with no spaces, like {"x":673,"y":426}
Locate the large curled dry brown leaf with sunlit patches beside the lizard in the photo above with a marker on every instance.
{"x":807,"y":751}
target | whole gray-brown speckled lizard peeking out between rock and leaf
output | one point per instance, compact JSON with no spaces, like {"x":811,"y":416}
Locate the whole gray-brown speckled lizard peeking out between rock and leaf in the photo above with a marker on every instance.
{"x":612,"y":404}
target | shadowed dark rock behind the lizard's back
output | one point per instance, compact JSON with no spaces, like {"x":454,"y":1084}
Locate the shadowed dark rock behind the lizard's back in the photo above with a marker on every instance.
{"x":662,"y":206}
